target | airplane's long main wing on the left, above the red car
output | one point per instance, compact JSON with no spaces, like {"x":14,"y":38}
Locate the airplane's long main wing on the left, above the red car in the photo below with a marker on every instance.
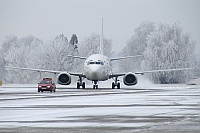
{"x":43,"y":70}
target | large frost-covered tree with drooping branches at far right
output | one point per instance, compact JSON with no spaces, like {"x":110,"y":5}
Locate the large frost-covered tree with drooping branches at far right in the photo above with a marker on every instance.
{"x":167,"y":48}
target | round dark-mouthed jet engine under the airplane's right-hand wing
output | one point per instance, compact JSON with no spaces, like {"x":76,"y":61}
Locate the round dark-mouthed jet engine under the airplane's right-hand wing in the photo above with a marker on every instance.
{"x":130,"y":79}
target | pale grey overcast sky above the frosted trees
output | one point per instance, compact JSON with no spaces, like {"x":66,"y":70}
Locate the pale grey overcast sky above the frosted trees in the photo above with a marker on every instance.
{"x":47,"y":18}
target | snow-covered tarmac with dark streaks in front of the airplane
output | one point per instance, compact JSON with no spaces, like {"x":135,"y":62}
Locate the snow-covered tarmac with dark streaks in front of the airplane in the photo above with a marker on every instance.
{"x":145,"y":107}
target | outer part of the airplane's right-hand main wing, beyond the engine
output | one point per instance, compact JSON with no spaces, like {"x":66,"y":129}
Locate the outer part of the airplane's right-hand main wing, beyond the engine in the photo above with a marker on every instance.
{"x":164,"y":70}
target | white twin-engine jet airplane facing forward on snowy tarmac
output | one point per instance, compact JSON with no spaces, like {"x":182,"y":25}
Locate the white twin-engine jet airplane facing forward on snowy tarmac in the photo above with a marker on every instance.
{"x":97,"y":67}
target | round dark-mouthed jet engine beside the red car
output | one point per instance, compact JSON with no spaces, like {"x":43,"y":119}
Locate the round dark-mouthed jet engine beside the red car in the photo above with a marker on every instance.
{"x":64,"y":78}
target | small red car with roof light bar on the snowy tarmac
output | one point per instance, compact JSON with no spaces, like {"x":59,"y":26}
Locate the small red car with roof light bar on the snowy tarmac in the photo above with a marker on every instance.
{"x":47,"y":84}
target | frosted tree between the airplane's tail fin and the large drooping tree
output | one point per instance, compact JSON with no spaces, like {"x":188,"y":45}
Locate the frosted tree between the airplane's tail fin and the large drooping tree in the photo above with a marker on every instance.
{"x":136,"y":46}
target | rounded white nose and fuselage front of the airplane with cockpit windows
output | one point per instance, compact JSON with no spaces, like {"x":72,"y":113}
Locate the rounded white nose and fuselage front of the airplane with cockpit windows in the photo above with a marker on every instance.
{"x":97,"y":67}
